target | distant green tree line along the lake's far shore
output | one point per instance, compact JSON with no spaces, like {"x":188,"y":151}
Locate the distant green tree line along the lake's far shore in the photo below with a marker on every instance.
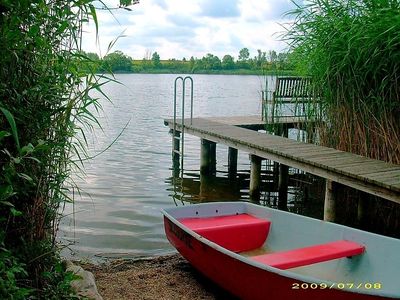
{"x":118,"y":61}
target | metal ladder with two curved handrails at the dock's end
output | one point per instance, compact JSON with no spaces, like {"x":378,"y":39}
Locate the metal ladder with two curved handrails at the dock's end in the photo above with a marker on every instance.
{"x":181,"y":138}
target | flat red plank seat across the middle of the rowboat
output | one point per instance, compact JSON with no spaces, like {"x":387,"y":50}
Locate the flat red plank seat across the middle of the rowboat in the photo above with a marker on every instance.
{"x":310,"y":255}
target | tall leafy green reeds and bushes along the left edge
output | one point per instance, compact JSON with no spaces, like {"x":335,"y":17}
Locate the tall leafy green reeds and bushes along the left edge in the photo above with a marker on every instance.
{"x":45,"y":102}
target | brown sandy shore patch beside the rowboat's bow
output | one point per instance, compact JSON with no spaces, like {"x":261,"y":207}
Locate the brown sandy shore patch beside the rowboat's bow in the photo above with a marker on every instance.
{"x":164,"y":277}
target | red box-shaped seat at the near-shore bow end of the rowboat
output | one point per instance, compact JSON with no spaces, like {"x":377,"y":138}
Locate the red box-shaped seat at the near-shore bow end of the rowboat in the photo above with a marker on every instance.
{"x":237,"y":233}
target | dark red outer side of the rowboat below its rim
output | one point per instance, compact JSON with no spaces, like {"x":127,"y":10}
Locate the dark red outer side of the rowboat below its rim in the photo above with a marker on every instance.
{"x":244,"y":280}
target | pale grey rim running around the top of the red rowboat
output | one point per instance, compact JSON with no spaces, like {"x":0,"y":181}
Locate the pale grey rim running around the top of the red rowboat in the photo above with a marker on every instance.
{"x":285,"y":273}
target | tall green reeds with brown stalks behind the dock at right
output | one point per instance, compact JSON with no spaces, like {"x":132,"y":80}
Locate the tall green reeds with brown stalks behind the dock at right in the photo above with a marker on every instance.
{"x":351,"y":50}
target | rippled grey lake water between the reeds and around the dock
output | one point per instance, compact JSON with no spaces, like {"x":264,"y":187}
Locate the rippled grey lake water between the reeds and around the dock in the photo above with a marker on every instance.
{"x":118,"y":211}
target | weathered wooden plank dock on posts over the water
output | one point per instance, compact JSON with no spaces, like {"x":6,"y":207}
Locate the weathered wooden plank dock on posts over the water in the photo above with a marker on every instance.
{"x":372,"y":176}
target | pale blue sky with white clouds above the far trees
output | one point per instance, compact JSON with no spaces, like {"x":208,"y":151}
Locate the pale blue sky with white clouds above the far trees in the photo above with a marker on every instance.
{"x":185,"y":28}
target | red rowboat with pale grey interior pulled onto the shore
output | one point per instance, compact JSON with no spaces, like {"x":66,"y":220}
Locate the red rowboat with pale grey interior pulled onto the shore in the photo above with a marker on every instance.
{"x":256,"y":252}
